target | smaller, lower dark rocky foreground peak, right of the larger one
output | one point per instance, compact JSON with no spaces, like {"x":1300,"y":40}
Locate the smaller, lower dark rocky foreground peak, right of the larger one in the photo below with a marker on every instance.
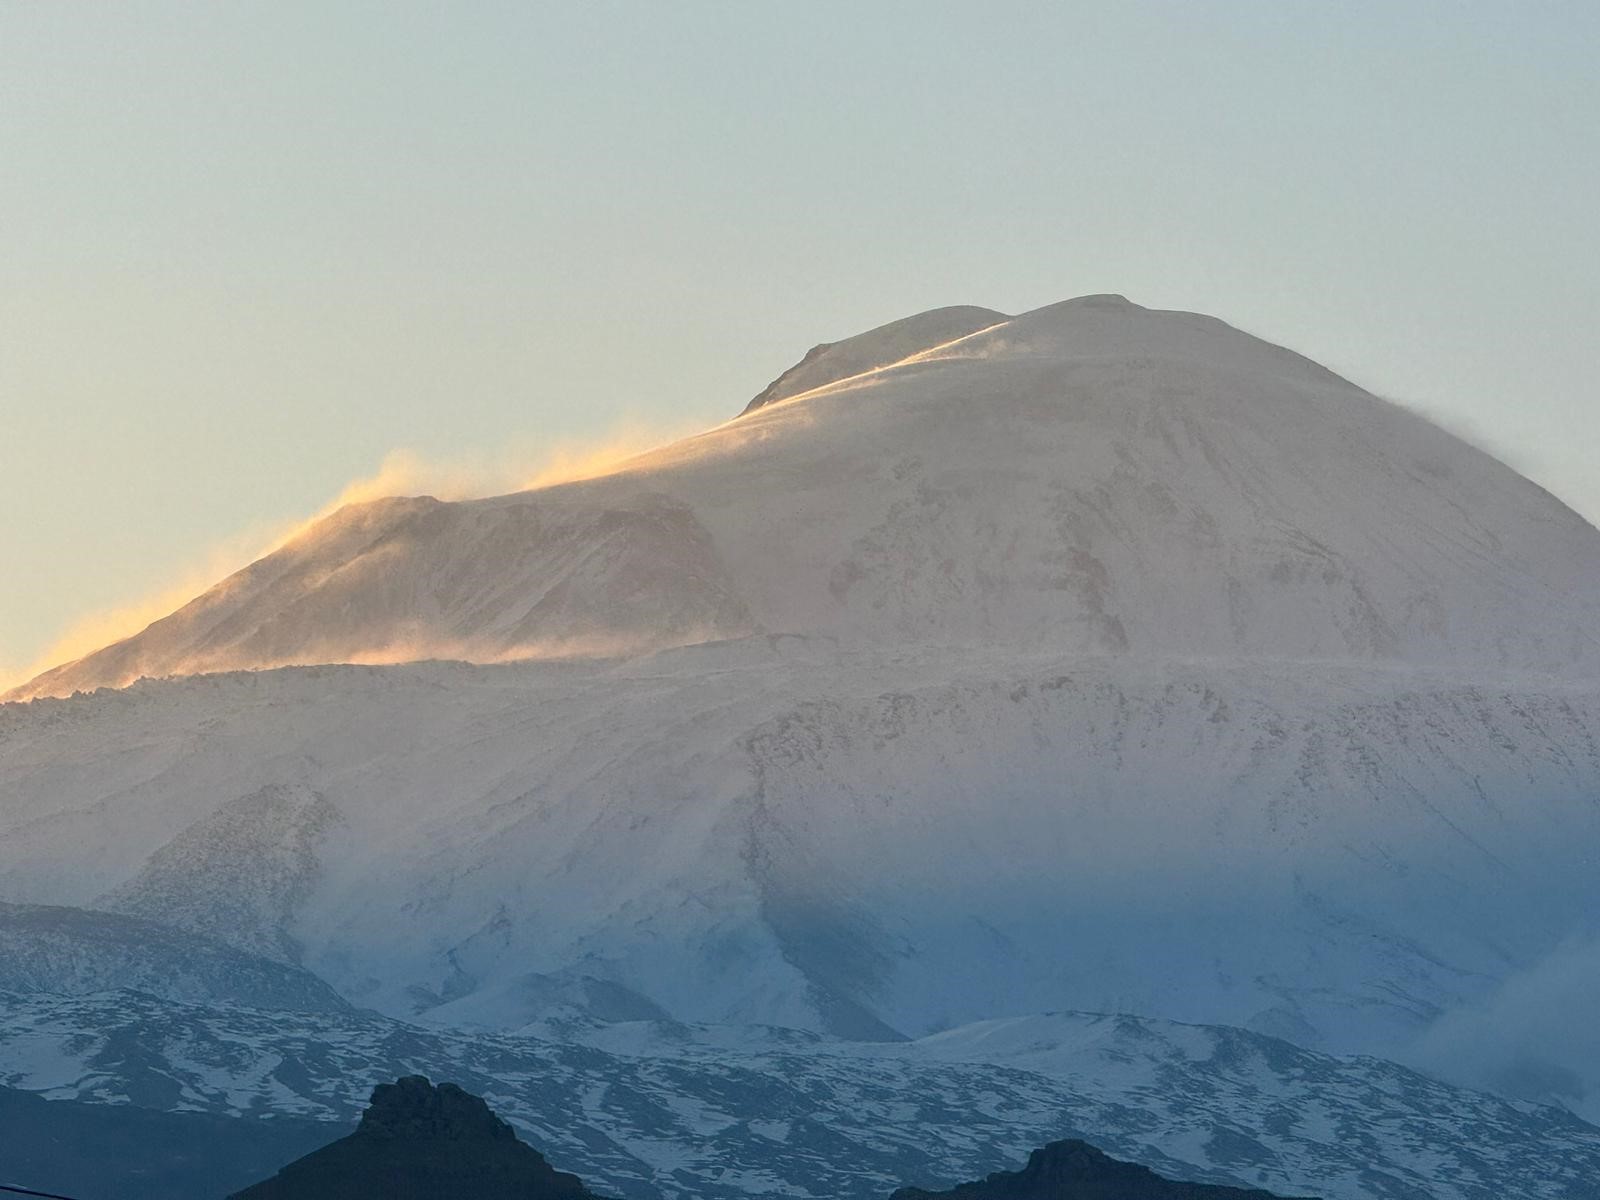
{"x":1076,"y":1170}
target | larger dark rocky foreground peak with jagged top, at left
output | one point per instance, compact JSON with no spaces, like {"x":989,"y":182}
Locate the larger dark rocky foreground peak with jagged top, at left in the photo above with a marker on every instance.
{"x":423,"y":1143}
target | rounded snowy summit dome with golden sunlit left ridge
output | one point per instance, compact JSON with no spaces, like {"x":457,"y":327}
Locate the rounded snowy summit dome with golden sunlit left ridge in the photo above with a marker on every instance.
{"x":1094,"y":478}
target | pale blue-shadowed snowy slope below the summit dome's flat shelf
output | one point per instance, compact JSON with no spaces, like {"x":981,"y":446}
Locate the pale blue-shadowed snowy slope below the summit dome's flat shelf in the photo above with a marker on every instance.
{"x":878,"y":846}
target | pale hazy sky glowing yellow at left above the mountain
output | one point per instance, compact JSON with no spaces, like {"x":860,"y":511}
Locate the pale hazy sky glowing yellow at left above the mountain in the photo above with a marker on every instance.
{"x":250,"y":250}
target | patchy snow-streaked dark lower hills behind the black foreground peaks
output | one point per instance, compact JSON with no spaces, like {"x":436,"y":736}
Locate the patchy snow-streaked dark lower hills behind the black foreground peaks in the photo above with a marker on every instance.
{"x":668,"y":1111}
